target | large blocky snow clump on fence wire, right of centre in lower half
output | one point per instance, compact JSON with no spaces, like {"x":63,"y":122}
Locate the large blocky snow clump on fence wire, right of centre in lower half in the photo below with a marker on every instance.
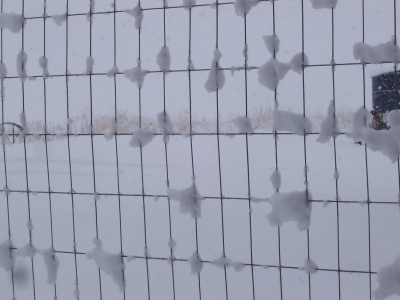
{"x":292,"y":206}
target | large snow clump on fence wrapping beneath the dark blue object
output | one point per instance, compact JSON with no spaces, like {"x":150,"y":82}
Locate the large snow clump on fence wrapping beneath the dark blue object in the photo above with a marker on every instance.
{"x":385,"y":141}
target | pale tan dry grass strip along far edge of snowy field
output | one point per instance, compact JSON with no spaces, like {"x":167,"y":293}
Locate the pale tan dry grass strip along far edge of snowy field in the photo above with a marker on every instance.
{"x":128,"y":123}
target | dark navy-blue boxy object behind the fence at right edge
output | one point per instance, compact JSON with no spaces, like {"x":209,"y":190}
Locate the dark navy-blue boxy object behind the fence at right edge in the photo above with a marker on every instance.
{"x":385,"y":94}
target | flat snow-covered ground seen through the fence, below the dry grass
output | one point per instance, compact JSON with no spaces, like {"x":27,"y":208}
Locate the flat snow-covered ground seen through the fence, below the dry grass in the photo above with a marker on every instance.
{"x":353,"y":216}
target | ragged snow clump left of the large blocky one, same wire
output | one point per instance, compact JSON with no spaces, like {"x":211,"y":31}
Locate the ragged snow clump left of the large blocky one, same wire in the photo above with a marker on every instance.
{"x":189,"y":200}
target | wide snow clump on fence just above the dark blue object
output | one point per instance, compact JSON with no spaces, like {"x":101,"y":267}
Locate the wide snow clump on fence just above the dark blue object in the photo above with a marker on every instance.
{"x":385,"y":52}
